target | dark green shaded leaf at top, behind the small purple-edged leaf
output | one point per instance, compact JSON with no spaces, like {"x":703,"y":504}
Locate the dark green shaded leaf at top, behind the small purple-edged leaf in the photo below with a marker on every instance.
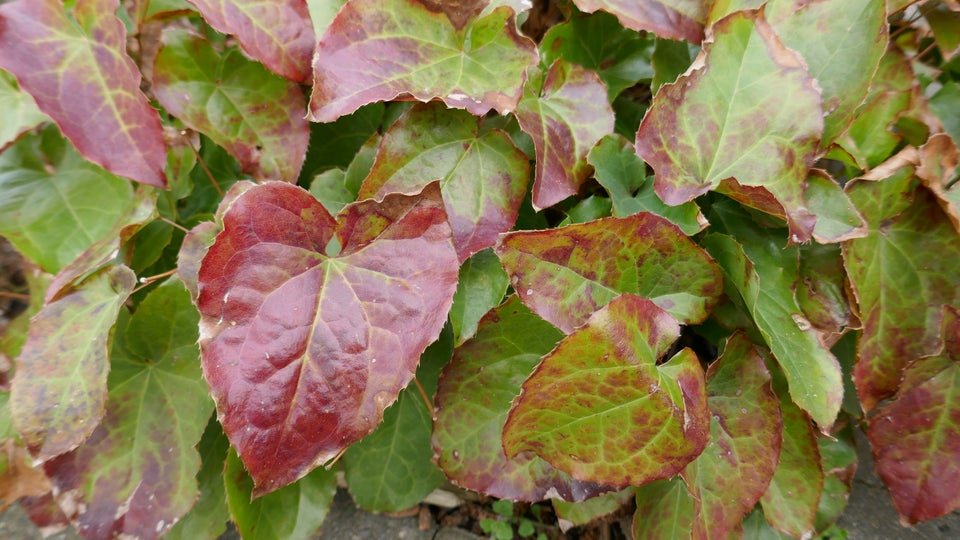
{"x":621,"y":57}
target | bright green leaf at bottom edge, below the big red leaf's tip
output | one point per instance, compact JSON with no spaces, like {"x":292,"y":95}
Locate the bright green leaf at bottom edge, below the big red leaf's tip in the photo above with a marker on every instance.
{"x":293,"y":512}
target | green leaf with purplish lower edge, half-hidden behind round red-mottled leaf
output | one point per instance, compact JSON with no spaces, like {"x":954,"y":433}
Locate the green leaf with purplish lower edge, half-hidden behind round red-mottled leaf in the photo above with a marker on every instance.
{"x":473,"y":398}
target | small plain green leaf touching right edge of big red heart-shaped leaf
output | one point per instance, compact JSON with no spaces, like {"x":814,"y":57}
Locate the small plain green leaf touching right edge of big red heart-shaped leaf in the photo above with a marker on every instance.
{"x":480,"y":288}
